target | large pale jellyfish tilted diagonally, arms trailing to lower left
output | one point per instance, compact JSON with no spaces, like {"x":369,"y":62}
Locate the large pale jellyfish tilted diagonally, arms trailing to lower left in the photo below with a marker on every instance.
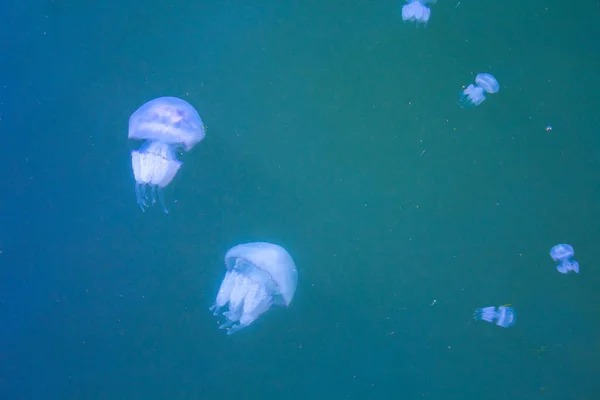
{"x":258,"y":276}
